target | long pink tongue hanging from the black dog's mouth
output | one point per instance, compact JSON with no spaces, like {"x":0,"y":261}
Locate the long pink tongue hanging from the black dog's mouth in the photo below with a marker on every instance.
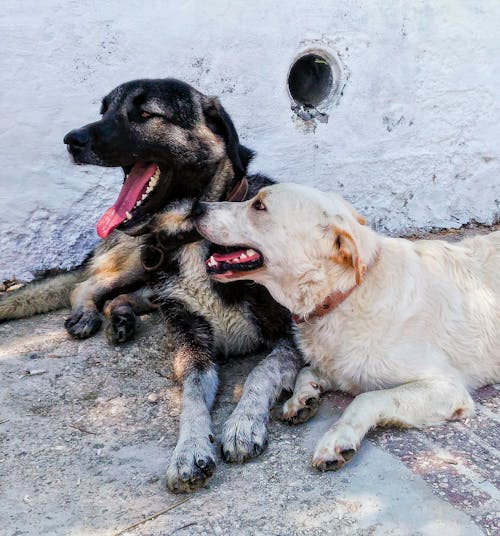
{"x":130,"y":192}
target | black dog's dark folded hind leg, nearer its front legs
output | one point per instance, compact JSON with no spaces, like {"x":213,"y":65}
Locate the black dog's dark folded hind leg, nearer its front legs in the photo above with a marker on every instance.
{"x":120,"y":314}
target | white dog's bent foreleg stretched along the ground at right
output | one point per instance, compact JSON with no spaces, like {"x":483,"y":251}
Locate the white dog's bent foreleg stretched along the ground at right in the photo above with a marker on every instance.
{"x":421,"y":403}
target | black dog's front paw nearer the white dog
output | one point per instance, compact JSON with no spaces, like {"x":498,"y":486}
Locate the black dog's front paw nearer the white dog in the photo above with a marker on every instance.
{"x":244,"y":436}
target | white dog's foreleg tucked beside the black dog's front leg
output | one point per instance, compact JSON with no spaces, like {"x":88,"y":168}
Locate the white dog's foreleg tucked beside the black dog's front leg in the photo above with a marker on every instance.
{"x":304,"y":402}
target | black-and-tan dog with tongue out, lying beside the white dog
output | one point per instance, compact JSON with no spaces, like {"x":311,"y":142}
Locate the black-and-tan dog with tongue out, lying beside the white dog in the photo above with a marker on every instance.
{"x":176,"y":146}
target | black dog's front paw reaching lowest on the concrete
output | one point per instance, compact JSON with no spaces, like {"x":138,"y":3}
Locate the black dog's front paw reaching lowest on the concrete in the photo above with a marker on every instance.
{"x":191,"y":465}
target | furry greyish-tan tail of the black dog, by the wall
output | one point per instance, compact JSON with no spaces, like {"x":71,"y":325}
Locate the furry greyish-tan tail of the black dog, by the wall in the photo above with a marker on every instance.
{"x":40,"y":296}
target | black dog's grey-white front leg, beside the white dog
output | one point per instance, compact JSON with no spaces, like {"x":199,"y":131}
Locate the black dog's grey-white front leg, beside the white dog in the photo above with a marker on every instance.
{"x":244,"y":434}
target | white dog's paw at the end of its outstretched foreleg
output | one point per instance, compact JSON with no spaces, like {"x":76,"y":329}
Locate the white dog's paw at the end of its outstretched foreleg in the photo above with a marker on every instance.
{"x":335,"y":448}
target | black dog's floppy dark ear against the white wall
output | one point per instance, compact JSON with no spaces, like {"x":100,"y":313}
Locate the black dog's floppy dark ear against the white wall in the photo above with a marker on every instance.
{"x":219,"y":122}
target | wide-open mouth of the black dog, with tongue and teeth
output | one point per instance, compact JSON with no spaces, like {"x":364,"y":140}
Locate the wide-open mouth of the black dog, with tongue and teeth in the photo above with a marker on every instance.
{"x":140,"y":183}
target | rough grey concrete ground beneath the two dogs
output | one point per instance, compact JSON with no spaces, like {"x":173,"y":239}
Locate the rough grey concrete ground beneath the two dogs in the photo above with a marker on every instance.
{"x":84,"y":450}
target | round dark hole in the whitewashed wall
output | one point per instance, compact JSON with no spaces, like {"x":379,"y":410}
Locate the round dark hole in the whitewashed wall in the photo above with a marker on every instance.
{"x":310,"y":80}
